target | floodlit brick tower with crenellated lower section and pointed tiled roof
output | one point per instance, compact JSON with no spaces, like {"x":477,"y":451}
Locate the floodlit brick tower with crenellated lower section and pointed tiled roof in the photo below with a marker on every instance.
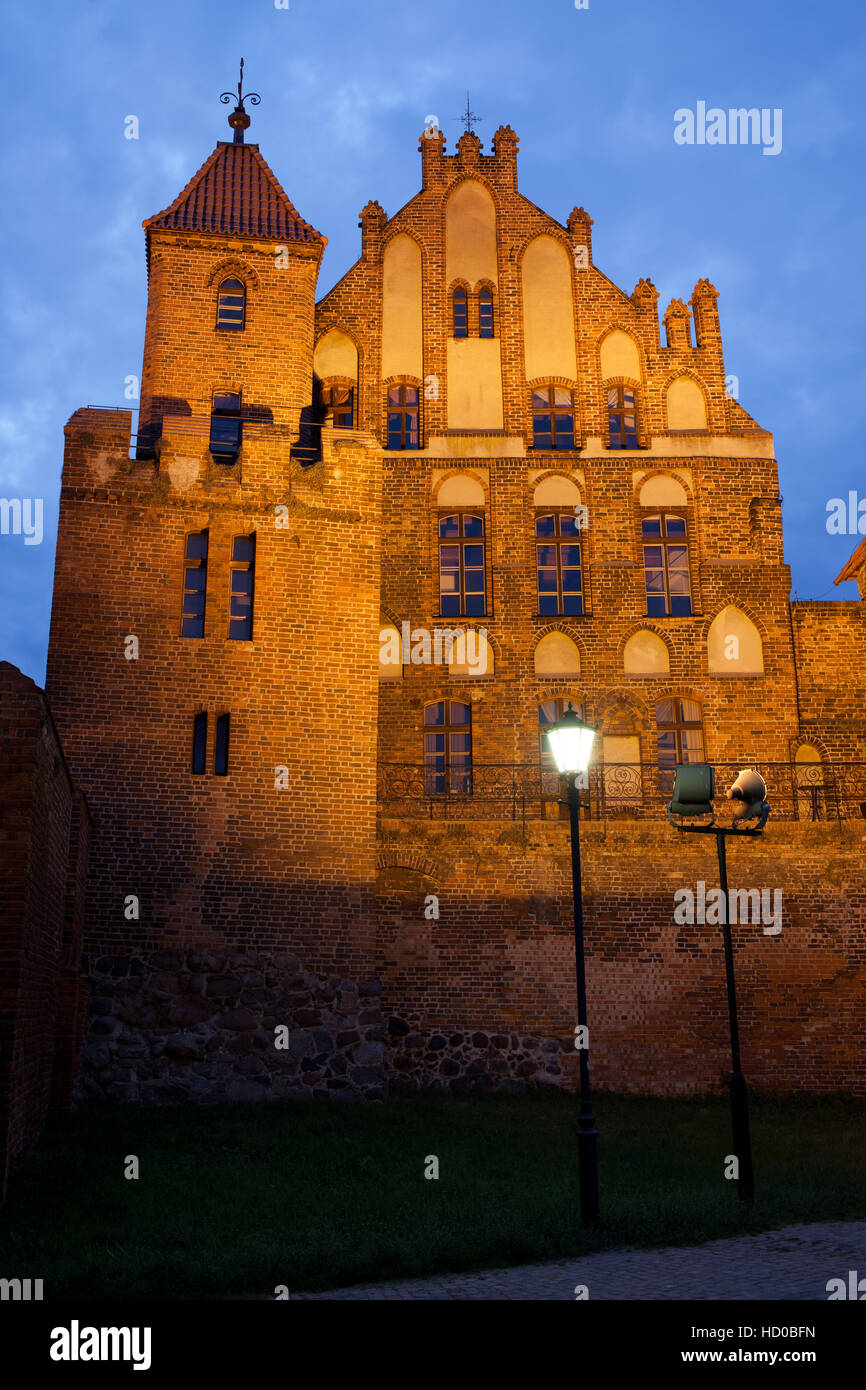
{"x":213,"y":658}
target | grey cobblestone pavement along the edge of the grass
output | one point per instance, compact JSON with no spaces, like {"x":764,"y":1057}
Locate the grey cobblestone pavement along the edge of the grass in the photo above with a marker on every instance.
{"x":792,"y":1263}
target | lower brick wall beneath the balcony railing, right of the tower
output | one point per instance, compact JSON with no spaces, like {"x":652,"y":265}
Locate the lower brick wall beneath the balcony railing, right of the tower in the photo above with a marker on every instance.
{"x":486,"y":996}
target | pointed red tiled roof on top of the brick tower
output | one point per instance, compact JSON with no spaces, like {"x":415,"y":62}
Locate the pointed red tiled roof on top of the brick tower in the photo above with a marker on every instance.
{"x":236,"y":193}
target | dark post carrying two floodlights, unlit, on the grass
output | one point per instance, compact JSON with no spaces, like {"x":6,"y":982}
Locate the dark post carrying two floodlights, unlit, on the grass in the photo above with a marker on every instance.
{"x":693,"y":797}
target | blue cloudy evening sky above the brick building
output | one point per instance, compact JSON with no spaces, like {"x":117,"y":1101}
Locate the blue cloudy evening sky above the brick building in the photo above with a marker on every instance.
{"x":347,"y":88}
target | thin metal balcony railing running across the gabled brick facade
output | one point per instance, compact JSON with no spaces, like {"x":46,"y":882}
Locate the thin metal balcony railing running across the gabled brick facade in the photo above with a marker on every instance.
{"x":528,"y":792}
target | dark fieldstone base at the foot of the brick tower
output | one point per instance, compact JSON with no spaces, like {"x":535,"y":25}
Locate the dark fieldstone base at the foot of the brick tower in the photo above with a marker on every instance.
{"x":176,"y":1027}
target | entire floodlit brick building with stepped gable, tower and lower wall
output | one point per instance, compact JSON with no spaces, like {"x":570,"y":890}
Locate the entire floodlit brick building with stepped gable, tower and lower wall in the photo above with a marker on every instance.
{"x":473,"y":433}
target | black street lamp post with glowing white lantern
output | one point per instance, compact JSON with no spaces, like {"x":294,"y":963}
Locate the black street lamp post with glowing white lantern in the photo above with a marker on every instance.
{"x":571,"y":742}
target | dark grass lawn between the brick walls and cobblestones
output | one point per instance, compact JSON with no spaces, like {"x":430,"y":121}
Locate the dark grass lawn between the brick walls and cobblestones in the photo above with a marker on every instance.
{"x":234,"y":1200}
